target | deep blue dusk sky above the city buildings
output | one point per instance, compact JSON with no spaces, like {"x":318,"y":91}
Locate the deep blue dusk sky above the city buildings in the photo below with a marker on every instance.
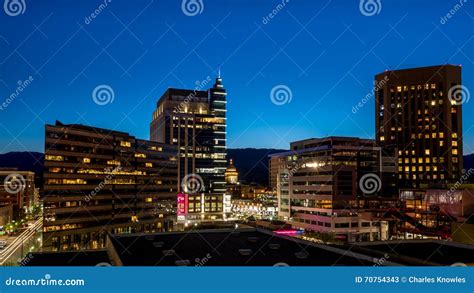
{"x":326,"y":52}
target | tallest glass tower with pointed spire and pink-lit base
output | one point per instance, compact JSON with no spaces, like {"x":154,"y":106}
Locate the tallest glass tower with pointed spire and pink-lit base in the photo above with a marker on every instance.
{"x":195,"y":121}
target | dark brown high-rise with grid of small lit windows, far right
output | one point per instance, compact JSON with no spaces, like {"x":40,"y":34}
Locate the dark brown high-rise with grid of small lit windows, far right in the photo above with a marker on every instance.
{"x":419,"y":112}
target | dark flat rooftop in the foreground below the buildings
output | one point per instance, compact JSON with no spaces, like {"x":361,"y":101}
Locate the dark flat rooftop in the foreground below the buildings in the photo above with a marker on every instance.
{"x":218,"y":247}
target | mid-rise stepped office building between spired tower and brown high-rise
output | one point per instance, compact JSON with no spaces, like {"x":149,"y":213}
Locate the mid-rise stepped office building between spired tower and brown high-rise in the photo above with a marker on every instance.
{"x":322,"y":183}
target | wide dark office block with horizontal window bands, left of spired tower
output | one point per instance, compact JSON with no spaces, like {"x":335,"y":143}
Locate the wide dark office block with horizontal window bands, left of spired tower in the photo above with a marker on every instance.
{"x":99,"y":181}
